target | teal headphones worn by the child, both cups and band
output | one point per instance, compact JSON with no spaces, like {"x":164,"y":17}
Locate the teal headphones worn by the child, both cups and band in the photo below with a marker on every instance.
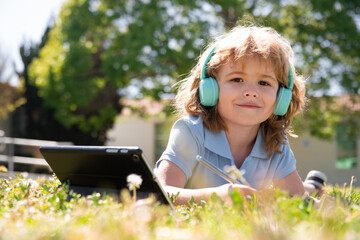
{"x":209,"y":90}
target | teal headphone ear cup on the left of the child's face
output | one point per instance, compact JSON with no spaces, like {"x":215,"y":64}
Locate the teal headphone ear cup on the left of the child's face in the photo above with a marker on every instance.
{"x":208,"y":91}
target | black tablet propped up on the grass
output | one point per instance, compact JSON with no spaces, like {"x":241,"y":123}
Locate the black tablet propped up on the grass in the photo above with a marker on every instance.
{"x":103,"y":169}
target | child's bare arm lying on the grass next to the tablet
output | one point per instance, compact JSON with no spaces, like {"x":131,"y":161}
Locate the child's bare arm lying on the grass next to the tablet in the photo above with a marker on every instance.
{"x":173,"y":179}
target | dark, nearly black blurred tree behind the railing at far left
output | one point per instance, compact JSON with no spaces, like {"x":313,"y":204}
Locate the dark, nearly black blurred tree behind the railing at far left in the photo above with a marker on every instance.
{"x":33,"y":120}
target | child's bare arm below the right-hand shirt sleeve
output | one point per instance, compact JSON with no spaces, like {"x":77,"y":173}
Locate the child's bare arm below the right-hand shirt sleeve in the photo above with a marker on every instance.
{"x":291,"y":183}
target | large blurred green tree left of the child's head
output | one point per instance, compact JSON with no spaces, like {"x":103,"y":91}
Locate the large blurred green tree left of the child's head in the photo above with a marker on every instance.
{"x":98,"y":47}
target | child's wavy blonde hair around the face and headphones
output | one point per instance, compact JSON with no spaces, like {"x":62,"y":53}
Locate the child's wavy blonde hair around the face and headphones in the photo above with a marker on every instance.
{"x":238,"y":44}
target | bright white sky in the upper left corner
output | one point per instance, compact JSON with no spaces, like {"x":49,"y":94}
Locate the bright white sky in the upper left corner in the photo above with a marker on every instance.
{"x":23,"y":21}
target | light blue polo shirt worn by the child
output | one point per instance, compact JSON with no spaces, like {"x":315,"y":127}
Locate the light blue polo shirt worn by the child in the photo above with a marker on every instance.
{"x":189,"y":137}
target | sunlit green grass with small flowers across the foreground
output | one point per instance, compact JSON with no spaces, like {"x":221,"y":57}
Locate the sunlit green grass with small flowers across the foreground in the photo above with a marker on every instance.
{"x":39,"y":209}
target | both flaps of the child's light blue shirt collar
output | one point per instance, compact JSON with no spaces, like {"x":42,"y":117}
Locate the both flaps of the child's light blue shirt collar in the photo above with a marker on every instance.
{"x":218,"y":143}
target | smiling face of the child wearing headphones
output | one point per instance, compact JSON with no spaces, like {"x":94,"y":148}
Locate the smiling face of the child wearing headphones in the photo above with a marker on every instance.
{"x":248,"y":91}
